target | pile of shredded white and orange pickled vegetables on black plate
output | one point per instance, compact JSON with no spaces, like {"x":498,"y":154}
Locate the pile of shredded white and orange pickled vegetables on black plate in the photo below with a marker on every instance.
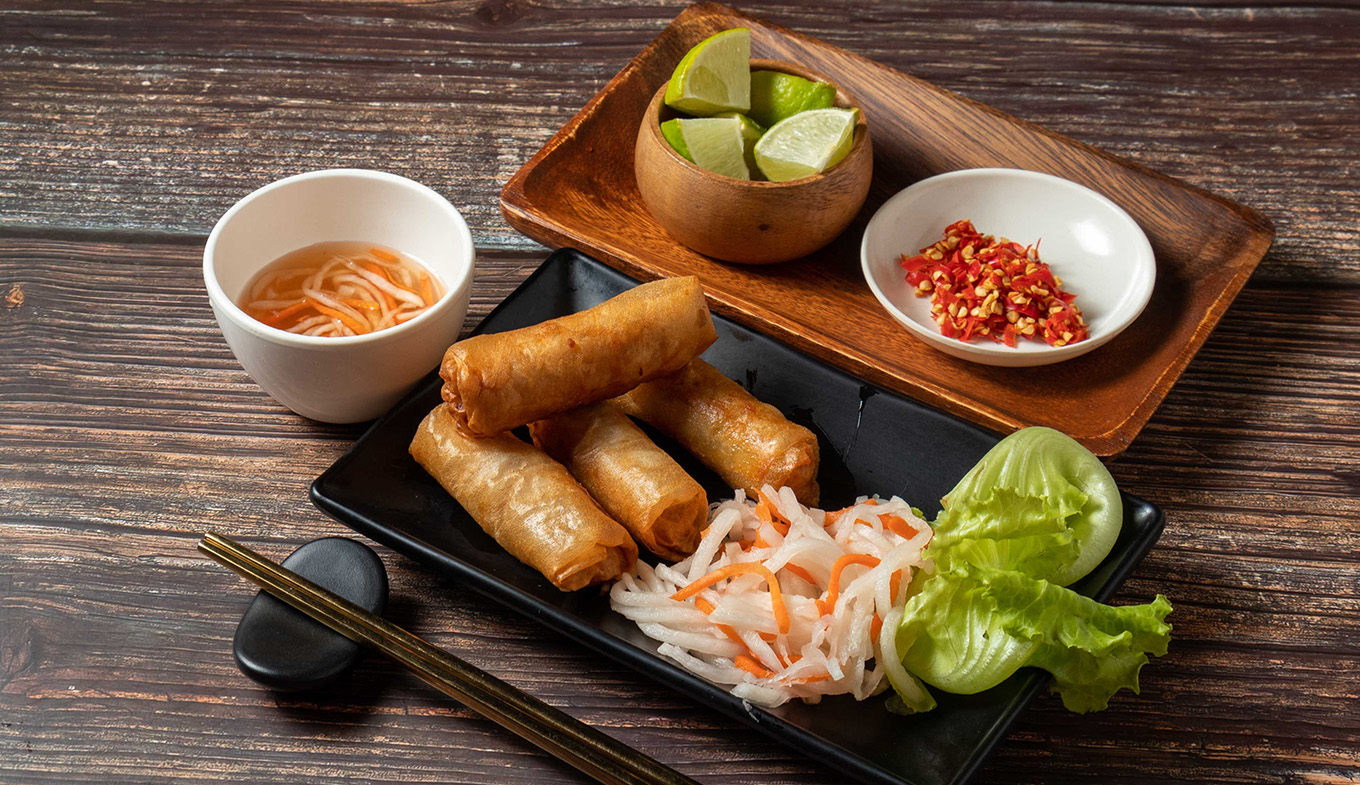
{"x":783,"y":601}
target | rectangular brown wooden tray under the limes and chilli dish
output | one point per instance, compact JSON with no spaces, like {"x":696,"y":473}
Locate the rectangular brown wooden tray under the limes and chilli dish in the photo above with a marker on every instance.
{"x":580,"y":191}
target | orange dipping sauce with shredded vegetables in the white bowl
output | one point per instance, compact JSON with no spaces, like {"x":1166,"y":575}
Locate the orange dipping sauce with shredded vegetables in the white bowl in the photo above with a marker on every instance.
{"x":341,"y":289}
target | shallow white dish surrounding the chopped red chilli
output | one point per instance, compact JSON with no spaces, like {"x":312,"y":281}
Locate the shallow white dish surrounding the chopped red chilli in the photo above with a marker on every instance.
{"x":1090,"y":243}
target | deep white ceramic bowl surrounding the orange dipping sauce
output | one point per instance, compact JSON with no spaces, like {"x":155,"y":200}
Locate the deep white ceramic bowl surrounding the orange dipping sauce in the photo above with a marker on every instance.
{"x":339,"y":380}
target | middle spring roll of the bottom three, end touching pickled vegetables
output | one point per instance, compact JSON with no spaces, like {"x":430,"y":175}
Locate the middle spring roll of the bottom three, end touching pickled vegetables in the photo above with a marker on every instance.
{"x":633,"y":480}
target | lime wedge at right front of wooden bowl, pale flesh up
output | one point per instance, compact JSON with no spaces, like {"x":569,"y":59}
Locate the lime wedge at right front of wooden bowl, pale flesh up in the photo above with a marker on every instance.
{"x":806,"y":144}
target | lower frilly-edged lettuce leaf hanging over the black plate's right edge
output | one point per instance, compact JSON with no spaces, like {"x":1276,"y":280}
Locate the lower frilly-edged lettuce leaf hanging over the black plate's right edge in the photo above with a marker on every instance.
{"x":973,"y":627}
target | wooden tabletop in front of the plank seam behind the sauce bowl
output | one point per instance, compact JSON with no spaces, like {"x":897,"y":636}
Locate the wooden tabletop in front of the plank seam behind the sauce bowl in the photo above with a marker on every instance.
{"x":127,"y":429}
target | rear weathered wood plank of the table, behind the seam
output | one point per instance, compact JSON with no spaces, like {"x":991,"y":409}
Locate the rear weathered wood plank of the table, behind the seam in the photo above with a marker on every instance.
{"x":116,"y":123}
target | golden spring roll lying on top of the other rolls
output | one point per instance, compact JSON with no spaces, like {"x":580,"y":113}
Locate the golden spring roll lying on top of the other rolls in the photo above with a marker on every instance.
{"x":494,"y":383}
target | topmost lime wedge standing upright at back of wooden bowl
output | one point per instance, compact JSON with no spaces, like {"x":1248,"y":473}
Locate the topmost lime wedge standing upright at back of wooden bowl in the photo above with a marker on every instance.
{"x":715,"y":77}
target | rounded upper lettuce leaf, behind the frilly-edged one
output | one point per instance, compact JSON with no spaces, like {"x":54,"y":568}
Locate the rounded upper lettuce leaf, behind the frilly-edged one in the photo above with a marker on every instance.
{"x":1038,"y":503}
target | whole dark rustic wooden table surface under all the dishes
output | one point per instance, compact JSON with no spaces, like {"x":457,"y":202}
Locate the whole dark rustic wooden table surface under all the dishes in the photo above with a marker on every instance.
{"x":127,"y":428}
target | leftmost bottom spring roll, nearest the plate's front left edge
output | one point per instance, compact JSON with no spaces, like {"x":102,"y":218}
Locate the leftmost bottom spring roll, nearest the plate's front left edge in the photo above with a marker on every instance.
{"x":527,"y":501}
